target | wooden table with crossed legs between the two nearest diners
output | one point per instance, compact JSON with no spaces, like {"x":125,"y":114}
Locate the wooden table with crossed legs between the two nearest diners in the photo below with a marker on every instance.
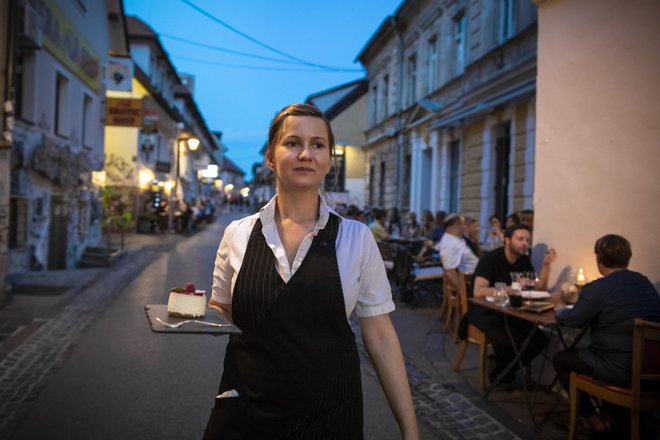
{"x":545,"y":319}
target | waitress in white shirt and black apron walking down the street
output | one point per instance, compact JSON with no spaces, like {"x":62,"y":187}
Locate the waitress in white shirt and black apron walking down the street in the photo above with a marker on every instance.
{"x":289,"y":277}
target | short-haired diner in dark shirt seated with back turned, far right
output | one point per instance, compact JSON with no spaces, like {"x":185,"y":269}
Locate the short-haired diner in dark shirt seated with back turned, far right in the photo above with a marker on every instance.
{"x":609,"y":307}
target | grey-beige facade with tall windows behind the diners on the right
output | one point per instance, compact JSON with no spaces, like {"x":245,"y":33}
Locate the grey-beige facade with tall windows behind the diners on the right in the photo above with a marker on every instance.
{"x":451,"y":122}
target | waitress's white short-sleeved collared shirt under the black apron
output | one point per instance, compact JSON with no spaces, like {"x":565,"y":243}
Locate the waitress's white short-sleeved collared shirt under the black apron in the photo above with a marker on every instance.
{"x":362,"y":272}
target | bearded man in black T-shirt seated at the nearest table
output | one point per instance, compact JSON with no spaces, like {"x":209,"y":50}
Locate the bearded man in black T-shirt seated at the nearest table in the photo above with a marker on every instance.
{"x":494,"y":267}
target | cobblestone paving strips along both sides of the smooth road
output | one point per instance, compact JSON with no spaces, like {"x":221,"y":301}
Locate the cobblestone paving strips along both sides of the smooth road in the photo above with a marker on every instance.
{"x":447,"y":405}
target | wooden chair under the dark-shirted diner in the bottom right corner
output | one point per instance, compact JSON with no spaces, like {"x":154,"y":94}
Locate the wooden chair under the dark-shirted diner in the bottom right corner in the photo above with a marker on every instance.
{"x":645,"y":368}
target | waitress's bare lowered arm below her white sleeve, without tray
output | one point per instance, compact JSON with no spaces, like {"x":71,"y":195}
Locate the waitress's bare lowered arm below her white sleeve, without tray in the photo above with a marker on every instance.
{"x":383,"y":347}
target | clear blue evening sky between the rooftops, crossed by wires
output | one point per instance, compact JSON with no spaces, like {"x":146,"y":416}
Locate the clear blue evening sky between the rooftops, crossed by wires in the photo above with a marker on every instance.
{"x":241,"y":101}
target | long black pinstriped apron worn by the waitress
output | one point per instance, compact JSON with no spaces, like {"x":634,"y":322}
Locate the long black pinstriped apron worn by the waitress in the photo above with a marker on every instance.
{"x":295,"y":367}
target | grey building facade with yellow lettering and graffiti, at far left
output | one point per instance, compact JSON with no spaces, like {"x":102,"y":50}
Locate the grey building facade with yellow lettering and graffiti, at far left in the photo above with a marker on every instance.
{"x":61,"y":51}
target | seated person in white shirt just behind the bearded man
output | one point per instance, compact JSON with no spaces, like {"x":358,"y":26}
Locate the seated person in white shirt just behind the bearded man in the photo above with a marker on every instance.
{"x":455,"y":254}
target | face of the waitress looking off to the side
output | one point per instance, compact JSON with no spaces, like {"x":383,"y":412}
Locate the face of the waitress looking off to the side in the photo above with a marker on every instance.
{"x":301,"y":156}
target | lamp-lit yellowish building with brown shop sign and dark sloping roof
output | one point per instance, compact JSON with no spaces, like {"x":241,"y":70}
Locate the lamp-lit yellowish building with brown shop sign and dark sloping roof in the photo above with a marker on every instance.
{"x":150,"y":158}
